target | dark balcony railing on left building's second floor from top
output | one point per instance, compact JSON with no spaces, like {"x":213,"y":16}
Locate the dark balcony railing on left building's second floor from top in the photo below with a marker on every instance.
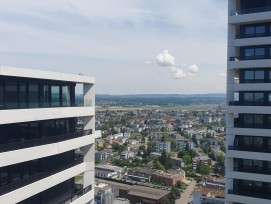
{"x":42,"y":141}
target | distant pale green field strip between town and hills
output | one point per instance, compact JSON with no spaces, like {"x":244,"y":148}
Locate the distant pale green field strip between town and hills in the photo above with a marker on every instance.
{"x":193,"y":107}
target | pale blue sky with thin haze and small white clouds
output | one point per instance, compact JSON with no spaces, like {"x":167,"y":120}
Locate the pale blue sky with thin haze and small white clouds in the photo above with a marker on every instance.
{"x":129,"y":46}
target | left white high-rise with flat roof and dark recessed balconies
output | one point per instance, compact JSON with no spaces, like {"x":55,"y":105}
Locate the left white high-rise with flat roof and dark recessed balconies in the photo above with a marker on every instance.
{"x":39,"y":133}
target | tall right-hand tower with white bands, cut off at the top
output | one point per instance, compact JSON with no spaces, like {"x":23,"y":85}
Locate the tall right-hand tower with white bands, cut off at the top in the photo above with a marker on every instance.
{"x":248,"y":157}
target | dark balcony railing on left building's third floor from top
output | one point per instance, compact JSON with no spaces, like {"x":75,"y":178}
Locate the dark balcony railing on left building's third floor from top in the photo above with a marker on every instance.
{"x":39,"y":176}
